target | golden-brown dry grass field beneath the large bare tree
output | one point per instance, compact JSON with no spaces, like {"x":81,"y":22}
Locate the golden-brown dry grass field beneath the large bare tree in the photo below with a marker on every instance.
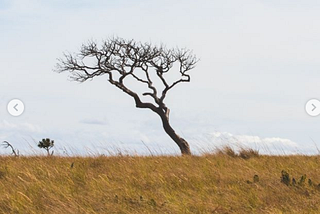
{"x":219,"y":183}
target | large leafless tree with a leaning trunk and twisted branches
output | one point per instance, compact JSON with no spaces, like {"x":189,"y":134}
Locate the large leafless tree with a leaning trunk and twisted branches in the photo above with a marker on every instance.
{"x":144,"y":63}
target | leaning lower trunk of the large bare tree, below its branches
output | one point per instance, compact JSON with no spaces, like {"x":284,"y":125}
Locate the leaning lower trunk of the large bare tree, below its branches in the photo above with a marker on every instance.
{"x":182,"y":143}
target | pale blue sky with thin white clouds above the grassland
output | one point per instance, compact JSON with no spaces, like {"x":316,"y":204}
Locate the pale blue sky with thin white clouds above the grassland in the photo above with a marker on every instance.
{"x":259,"y":65}
